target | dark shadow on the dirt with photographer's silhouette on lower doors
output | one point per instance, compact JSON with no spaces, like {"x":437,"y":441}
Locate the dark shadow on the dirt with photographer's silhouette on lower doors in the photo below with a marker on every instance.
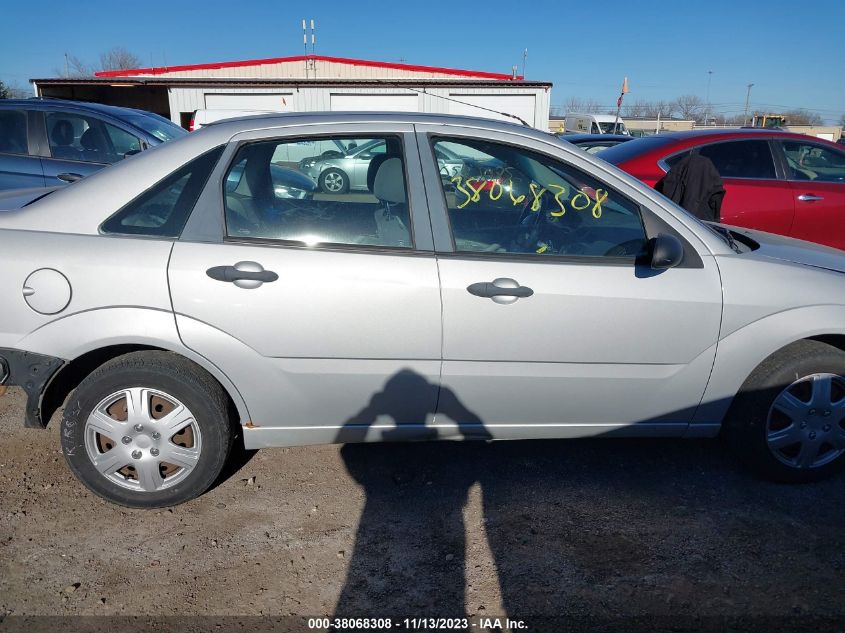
{"x":592,"y":527}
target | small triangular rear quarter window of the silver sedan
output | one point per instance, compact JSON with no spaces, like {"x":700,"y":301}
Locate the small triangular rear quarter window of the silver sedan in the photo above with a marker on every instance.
{"x":162,"y":210}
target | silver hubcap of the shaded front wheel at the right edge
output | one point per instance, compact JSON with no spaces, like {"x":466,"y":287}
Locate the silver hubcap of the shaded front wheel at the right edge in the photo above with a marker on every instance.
{"x":805,"y":423}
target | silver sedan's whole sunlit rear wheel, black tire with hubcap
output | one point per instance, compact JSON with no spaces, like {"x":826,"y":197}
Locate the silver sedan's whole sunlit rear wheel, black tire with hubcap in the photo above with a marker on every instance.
{"x":185,"y":420}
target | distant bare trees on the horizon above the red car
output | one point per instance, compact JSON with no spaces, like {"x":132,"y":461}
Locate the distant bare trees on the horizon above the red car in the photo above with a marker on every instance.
{"x":686,"y":107}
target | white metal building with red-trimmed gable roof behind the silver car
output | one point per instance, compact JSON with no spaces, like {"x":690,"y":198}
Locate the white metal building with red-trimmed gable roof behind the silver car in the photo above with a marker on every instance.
{"x":308,"y":83}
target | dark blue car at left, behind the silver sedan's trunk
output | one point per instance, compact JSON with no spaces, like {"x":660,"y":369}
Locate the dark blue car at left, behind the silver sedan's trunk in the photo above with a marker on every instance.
{"x":50,"y":142}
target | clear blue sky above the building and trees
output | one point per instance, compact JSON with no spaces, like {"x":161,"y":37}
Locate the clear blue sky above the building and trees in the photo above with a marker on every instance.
{"x":792,"y":52}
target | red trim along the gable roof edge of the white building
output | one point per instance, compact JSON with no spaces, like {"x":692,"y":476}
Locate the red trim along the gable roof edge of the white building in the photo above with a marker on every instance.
{"x":276,"y":60}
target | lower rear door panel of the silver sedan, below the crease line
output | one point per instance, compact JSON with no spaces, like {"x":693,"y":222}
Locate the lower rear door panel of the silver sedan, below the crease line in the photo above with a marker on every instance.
{"x":299,"y":401}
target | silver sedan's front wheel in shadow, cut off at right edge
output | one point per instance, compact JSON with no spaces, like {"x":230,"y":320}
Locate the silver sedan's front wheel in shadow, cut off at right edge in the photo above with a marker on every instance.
{"x":781,"y":413}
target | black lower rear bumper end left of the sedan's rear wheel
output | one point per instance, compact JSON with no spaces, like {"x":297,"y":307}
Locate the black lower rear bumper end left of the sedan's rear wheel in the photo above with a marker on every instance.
{"x":31,"y":372}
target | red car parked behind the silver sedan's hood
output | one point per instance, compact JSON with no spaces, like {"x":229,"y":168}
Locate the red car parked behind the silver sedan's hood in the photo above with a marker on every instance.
{"x":776,"y":181}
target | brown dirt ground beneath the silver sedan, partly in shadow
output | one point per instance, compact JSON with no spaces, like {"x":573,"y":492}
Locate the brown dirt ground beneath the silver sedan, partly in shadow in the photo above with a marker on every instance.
{"x":603,"y":528}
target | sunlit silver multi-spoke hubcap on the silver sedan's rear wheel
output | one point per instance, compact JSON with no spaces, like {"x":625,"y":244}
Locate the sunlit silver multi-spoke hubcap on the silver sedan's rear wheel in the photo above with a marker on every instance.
{"x":142,"y":439}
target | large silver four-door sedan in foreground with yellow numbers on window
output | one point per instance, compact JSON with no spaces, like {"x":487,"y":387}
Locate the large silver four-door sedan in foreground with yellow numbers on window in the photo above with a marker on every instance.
{"x":184,"y":300}
